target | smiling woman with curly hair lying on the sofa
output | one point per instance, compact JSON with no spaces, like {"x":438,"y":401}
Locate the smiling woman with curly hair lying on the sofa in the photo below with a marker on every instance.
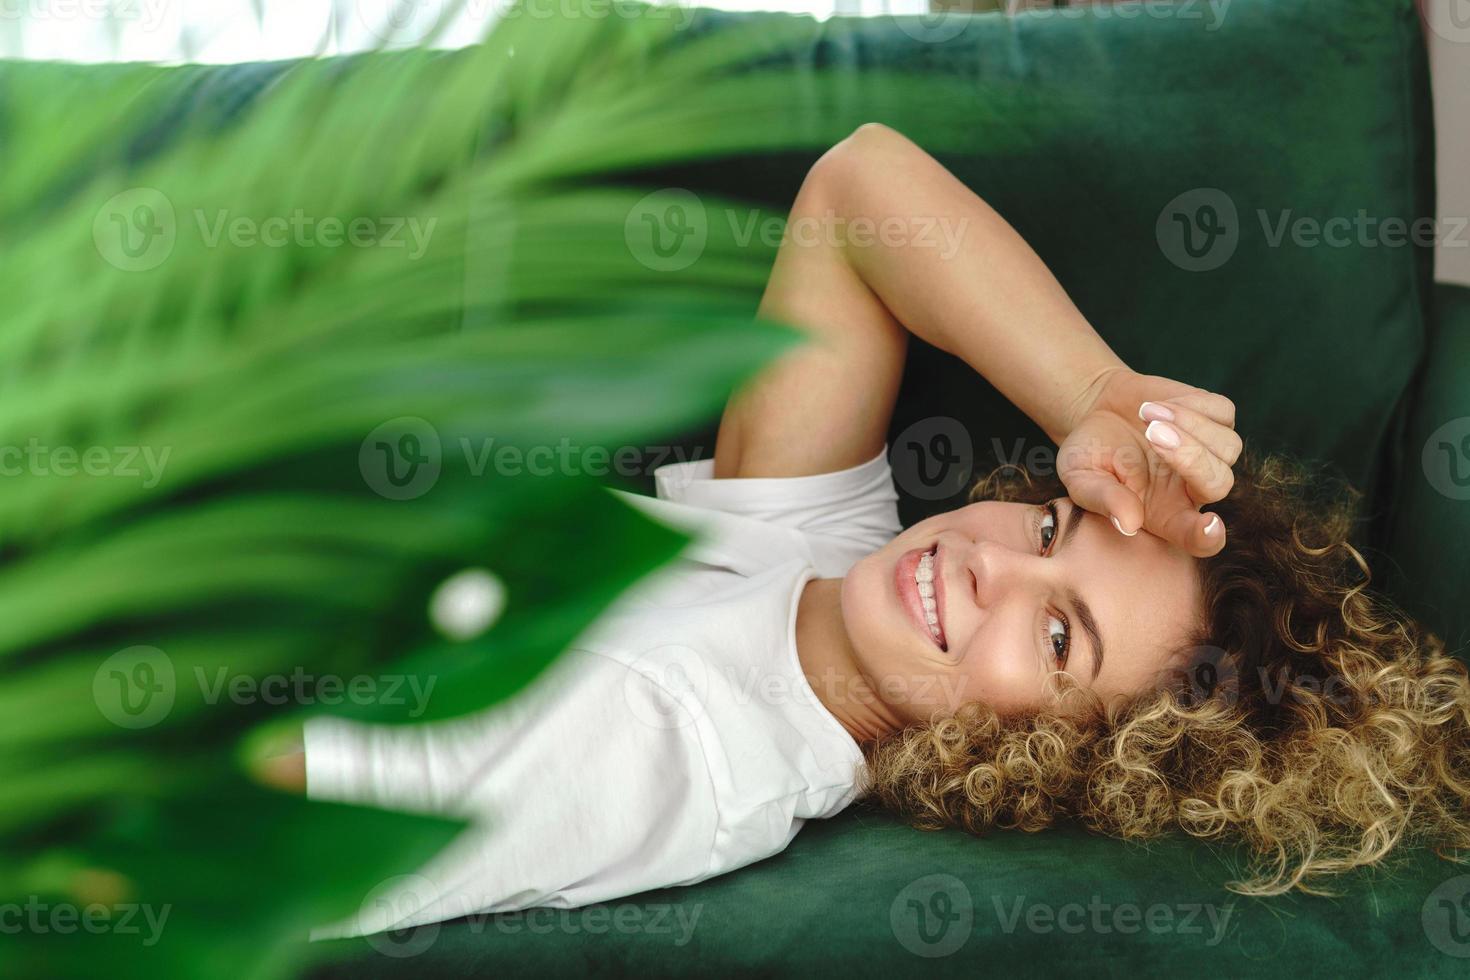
{"x":1028,"y":657}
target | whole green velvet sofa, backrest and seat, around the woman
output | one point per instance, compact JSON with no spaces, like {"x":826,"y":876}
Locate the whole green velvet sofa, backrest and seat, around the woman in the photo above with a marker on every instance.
{"x":1230,"y":193}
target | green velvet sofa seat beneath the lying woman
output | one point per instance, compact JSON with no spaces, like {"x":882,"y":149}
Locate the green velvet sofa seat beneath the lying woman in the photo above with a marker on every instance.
{"x":868,"y":897}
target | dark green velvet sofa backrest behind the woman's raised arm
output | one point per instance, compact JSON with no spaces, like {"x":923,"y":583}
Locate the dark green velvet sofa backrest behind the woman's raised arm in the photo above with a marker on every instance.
{"x":1230,"y":192}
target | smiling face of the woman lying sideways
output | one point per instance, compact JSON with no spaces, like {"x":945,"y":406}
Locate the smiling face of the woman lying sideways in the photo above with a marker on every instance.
{"x":1019,"y":591}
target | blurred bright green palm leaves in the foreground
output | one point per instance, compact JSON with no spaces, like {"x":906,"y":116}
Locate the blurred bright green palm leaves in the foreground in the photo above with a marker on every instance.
{"x":192,"y":419}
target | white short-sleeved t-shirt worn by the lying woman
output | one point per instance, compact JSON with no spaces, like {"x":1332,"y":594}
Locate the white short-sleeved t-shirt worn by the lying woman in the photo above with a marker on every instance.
{"x":675,"y":741}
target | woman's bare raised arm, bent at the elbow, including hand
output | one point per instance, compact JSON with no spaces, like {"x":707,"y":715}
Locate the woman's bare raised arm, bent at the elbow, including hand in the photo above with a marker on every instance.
{"x":884,"y":242}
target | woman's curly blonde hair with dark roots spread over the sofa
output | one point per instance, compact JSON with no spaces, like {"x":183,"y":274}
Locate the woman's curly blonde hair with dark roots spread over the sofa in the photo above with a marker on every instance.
{"x":1311,"y":718}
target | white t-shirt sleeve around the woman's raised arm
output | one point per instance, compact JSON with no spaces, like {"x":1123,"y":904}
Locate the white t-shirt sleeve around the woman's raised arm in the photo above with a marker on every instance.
{"x":858,"y":505}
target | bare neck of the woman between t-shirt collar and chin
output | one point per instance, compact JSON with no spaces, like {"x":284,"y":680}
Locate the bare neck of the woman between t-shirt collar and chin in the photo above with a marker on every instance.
{"x":831,"y":666}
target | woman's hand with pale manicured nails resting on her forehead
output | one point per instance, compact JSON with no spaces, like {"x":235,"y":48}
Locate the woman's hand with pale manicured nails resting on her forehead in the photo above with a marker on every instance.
{"x":1153,"y":465}
